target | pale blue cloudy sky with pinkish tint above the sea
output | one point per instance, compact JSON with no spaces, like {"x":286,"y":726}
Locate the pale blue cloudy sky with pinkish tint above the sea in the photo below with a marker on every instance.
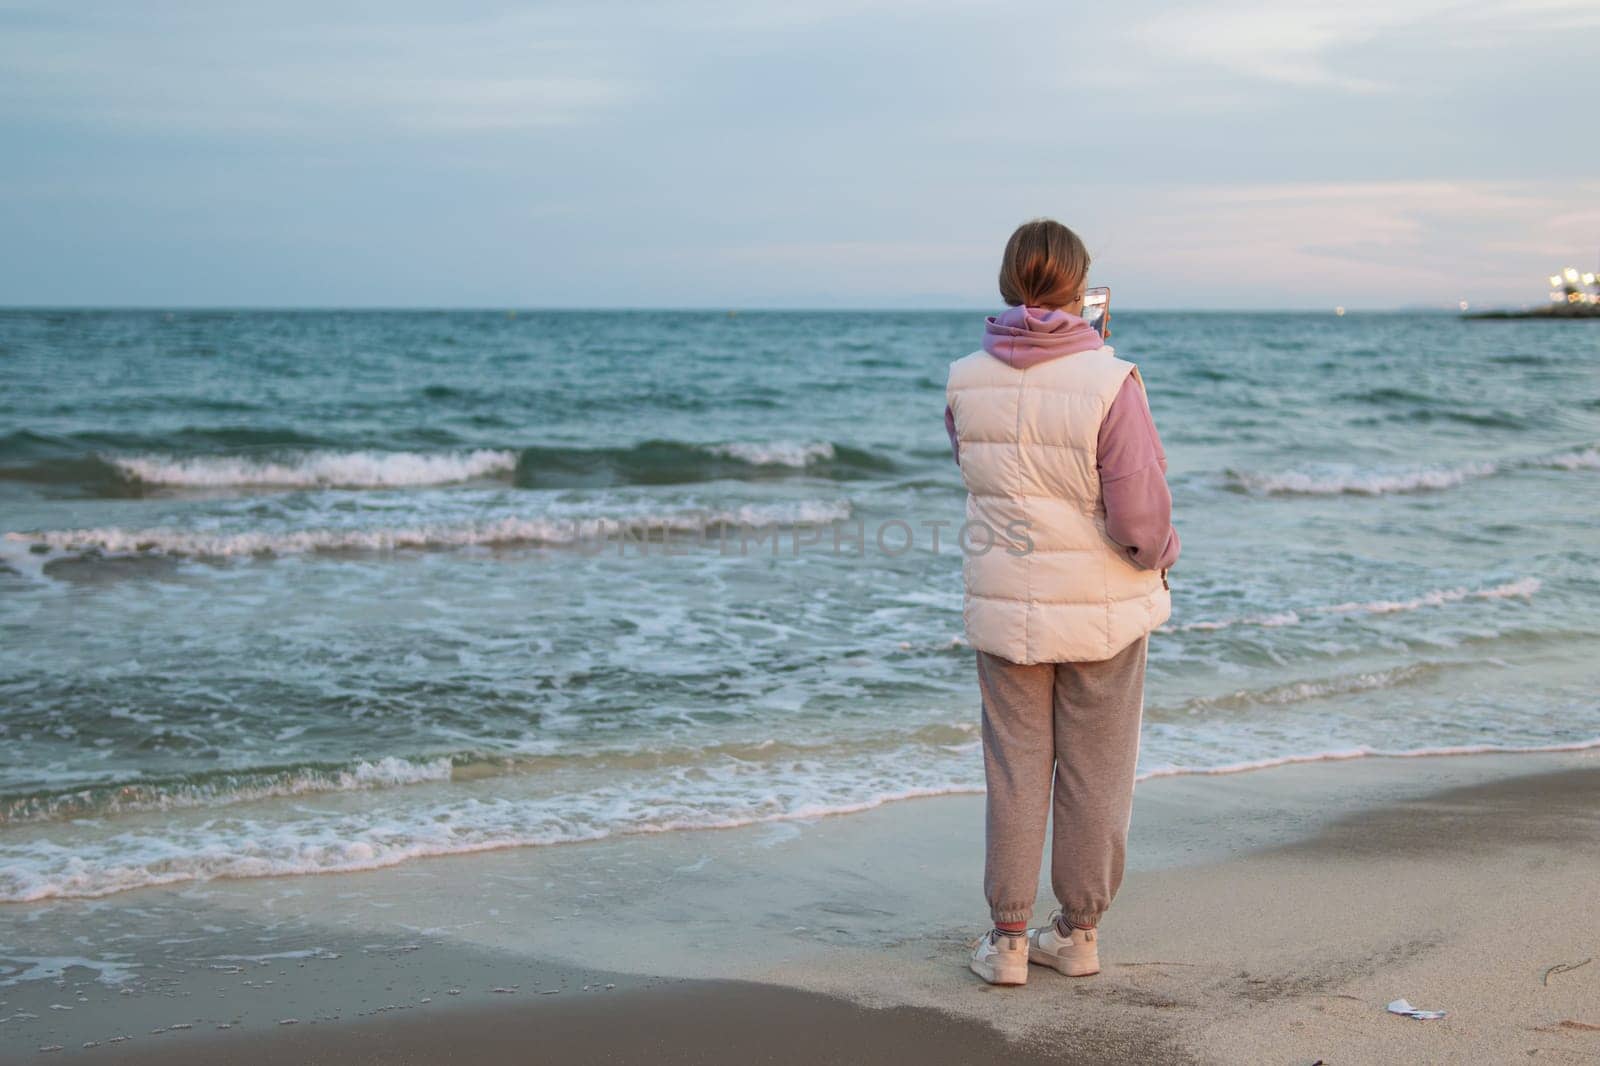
{"x":799,"y":154}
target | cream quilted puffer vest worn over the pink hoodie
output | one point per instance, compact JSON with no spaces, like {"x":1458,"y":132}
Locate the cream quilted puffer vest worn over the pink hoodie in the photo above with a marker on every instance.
{"x":1054,"y":588}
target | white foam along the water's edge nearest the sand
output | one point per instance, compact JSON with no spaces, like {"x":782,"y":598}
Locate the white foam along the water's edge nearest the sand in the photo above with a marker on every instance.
{"x":388,"y":835}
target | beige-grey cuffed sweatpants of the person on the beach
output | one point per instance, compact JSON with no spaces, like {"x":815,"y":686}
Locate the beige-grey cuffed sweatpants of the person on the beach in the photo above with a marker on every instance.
{"x":1060,"y":739}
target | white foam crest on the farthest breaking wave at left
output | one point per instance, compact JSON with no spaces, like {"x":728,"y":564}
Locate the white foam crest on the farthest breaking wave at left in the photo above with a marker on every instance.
{"x":318,"y":470}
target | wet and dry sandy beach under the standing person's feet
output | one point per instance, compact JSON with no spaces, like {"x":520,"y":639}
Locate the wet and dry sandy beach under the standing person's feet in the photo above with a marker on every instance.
{"x":1268,"y":918}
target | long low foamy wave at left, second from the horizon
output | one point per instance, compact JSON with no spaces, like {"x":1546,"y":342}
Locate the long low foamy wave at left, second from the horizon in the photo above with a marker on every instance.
{"x":497,"y":534}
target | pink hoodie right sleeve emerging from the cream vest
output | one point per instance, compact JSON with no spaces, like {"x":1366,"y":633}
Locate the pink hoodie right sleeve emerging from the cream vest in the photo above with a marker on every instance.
{"x":1134,"y":481}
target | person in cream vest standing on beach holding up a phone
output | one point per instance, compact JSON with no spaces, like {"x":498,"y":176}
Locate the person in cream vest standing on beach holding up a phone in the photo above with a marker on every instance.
{"x":1066,"y":478}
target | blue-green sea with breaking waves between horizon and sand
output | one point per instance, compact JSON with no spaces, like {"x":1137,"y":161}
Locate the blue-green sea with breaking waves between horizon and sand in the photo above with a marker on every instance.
{"x":306,"y":593}
